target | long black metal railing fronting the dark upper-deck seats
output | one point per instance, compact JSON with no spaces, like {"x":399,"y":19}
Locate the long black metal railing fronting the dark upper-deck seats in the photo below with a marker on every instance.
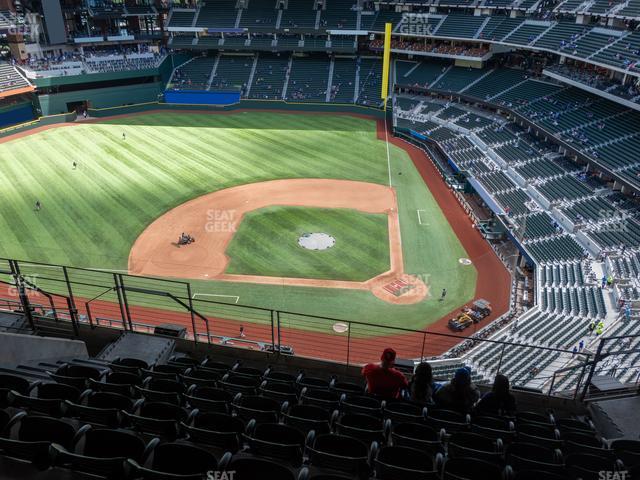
{"x":93,"y":298}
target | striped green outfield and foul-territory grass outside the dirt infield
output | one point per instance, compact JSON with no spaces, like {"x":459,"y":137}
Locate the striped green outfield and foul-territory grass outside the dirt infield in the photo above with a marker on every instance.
{"x":91,"y":216}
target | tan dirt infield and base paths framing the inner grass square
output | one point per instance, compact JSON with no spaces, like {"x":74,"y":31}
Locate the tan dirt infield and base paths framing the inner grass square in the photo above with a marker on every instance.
{"x":213,"y":220}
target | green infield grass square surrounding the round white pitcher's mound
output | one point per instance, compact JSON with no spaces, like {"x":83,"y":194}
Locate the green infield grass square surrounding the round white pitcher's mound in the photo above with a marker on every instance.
{"x":266,"y":243}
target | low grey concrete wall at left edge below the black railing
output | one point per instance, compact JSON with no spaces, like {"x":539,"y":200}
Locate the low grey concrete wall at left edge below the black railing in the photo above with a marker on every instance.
{"x":17,"y":348}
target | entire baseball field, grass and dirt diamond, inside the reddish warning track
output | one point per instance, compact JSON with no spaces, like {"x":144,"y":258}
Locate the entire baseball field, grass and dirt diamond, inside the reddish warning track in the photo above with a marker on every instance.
{"x":117,"y":193}
